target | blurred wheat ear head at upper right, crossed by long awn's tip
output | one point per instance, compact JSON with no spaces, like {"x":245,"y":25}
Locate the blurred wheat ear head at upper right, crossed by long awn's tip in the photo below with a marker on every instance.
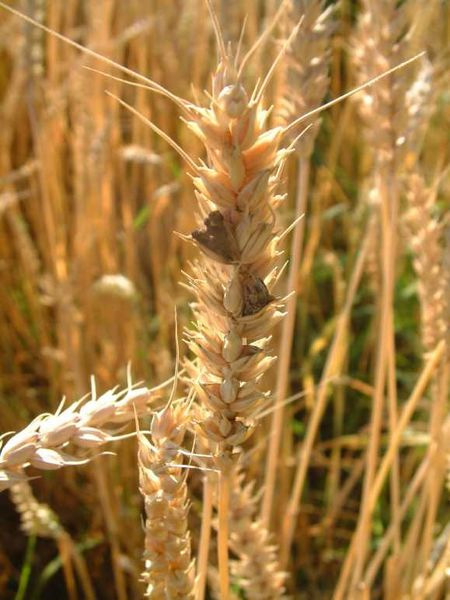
{"x":401,"y":104}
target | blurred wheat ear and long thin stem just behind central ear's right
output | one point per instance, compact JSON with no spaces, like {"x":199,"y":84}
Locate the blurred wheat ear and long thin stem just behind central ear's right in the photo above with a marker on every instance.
{"x":306,"y":84}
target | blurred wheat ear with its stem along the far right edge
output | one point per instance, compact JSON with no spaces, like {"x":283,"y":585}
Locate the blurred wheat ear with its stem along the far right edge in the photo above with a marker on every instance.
{"x":426,"y":240}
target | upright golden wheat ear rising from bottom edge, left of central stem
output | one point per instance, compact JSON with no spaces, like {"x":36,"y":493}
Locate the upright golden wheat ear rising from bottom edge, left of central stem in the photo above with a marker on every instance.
{"x":169,"y":571}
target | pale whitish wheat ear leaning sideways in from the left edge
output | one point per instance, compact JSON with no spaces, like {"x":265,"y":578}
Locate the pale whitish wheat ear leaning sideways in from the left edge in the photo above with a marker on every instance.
{"x":42,"y":443}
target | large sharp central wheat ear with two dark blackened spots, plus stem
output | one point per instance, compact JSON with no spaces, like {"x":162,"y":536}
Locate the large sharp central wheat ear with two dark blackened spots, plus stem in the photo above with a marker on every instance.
{"x":234,"y":308}
